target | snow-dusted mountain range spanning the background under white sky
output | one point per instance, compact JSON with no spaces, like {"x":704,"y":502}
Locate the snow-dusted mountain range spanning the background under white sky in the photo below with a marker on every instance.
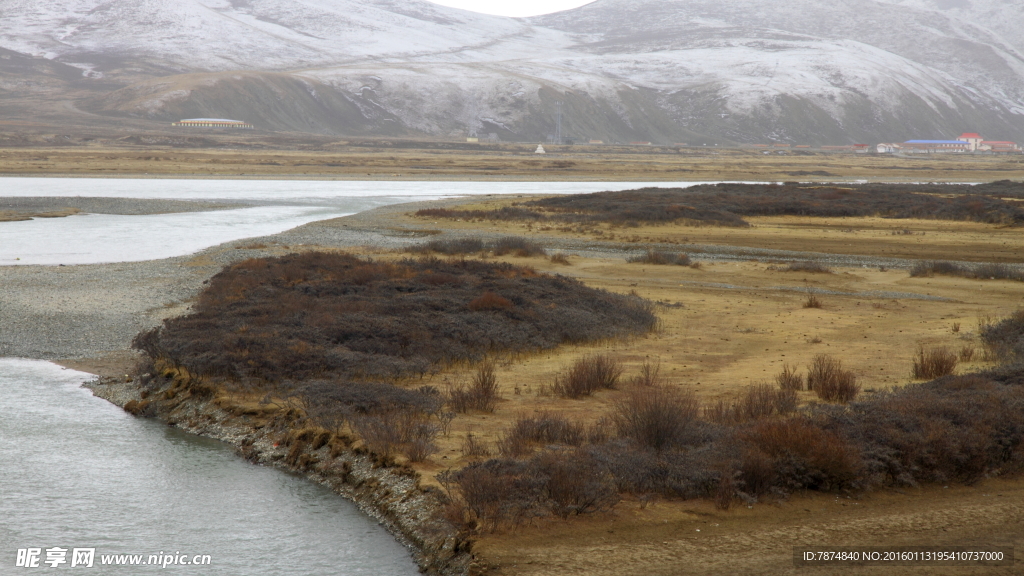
{"x":667,"y":71}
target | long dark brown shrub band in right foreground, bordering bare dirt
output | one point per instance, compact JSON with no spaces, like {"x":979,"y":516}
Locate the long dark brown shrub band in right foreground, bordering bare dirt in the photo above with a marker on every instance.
{"x":955,"y":429}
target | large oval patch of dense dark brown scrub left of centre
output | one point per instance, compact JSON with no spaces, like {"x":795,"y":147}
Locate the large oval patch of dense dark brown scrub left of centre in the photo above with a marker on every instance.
{"x":334,"y":316}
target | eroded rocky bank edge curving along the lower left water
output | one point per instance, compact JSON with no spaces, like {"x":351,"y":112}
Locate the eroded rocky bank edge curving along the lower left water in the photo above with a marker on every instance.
{"x":389,"y":492}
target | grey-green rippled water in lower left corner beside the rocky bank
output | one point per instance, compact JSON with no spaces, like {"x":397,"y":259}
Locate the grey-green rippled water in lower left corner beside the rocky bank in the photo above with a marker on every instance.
{"x":77,"y":472}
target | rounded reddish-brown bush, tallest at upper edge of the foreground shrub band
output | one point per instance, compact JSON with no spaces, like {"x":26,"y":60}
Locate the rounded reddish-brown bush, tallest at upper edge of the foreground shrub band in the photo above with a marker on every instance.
{"x":656,"y":418}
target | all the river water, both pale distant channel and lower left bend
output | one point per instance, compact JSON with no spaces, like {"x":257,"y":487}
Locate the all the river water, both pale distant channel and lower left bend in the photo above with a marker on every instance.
{"x":76,"y":472}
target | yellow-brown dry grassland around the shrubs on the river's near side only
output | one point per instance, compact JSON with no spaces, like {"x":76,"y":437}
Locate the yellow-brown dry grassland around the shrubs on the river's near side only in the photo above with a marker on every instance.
{"x":727,"y":326}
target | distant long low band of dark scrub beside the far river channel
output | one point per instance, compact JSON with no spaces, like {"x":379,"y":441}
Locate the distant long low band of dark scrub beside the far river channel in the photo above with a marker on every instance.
{"x":727,"y":204}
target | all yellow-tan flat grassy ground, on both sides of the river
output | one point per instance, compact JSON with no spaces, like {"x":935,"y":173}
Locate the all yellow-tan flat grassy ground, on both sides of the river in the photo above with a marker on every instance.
{"x":735,"y":321}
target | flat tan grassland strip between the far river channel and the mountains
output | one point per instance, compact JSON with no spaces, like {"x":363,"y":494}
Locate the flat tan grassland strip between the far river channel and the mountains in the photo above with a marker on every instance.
{"x":252,"y":158}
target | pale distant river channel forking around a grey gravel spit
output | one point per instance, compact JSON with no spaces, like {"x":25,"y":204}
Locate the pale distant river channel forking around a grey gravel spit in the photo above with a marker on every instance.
{"x":267,"y":208}
